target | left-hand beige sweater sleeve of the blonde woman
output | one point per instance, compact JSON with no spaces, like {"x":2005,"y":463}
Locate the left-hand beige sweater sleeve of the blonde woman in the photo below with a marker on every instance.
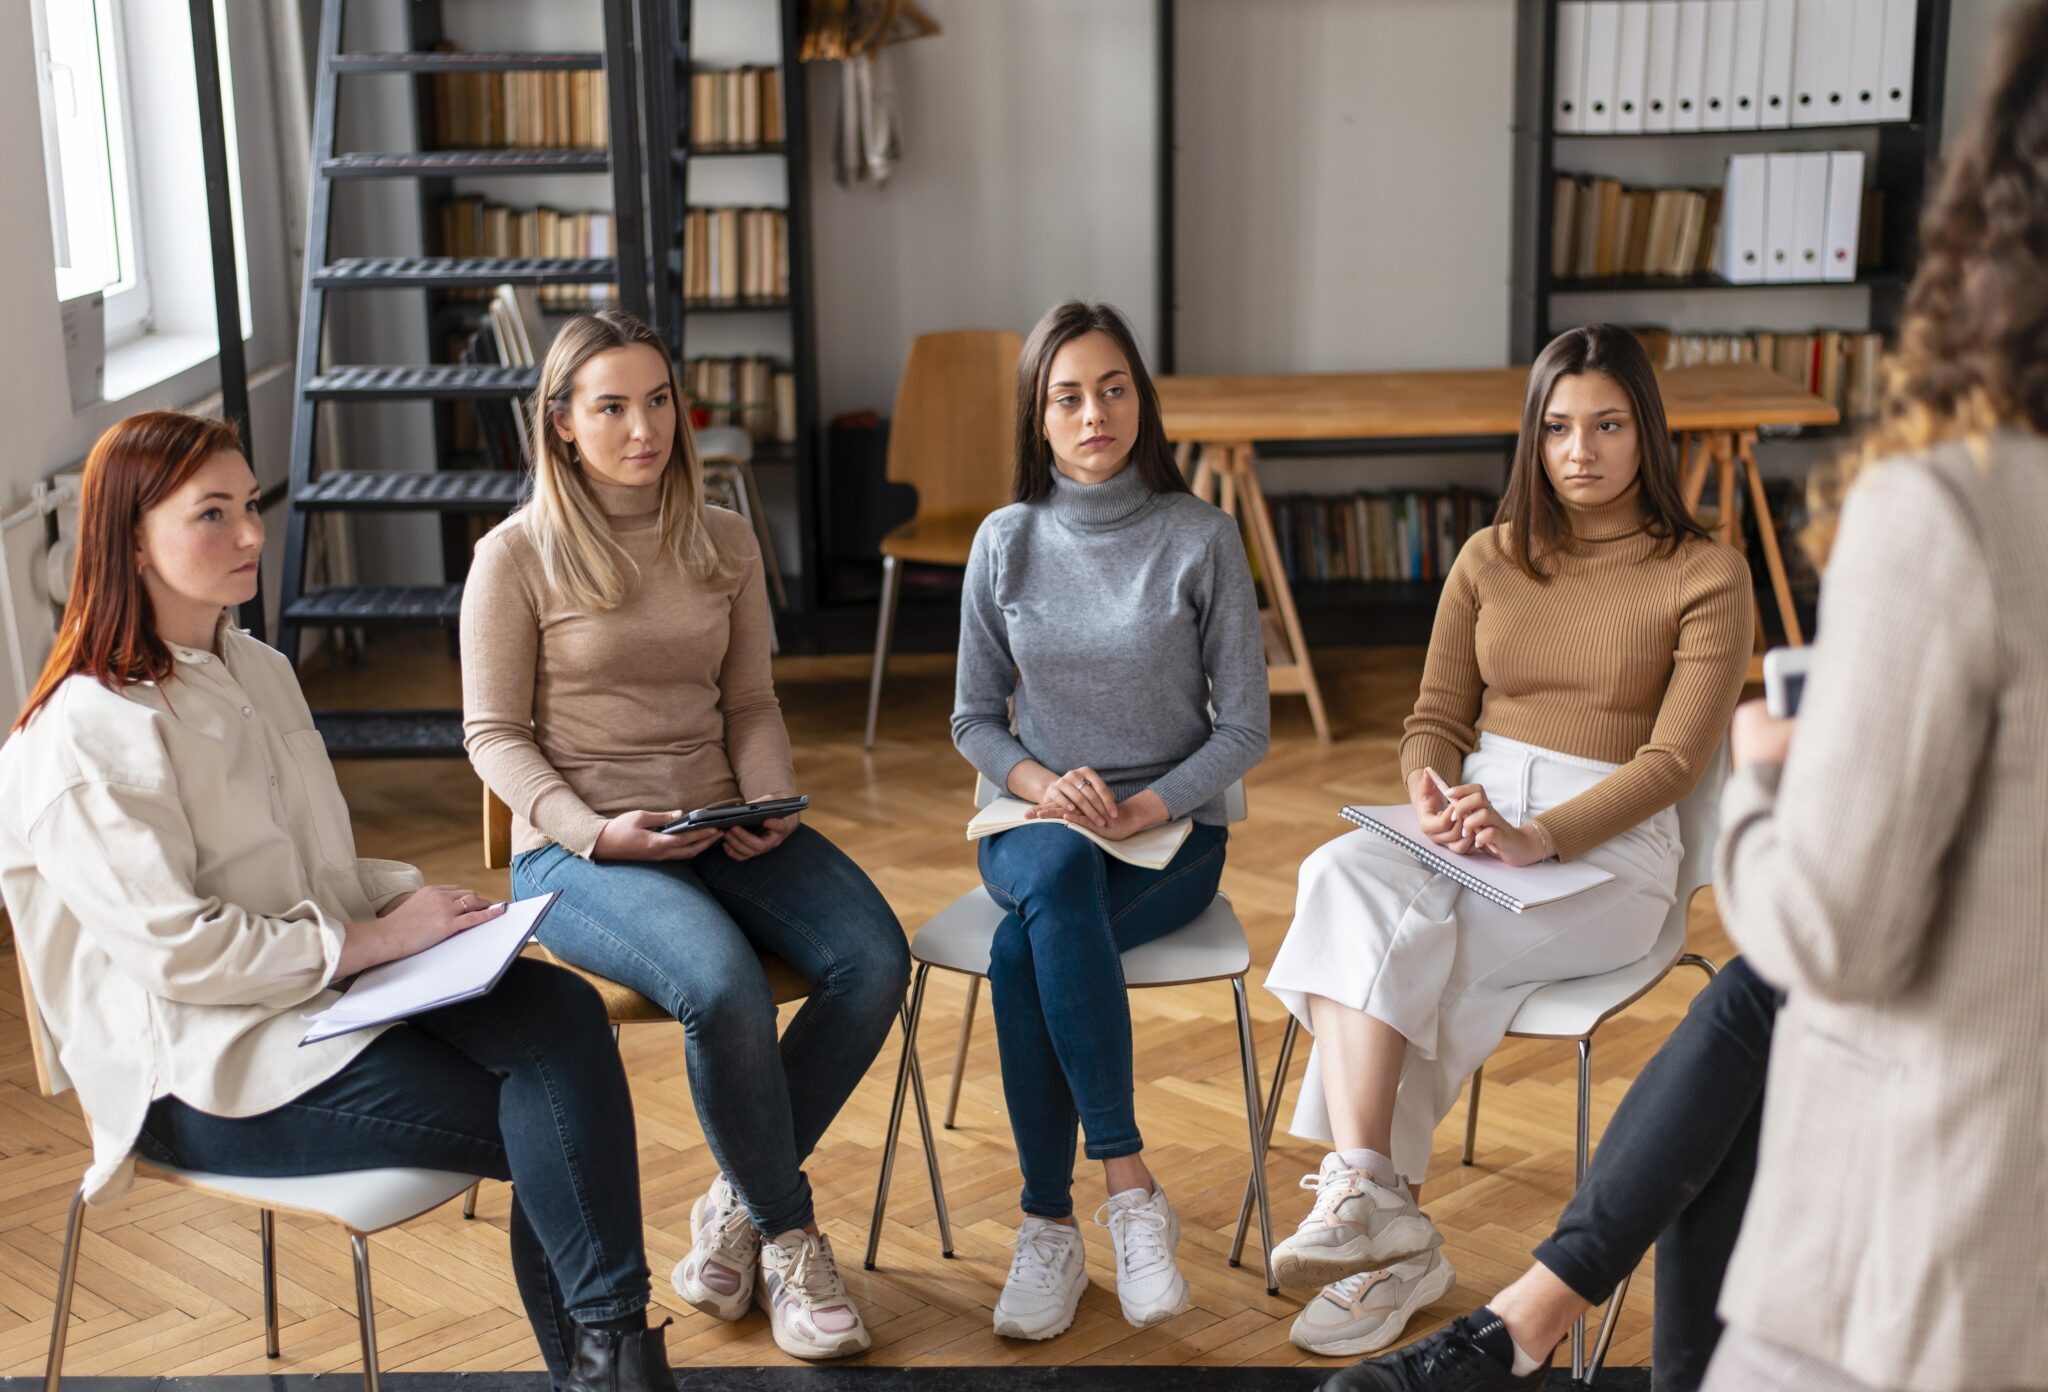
{"x":501,"y":640}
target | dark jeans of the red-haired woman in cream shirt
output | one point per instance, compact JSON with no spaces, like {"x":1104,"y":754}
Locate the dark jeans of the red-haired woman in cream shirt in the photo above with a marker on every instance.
{"x":521,"y":1084}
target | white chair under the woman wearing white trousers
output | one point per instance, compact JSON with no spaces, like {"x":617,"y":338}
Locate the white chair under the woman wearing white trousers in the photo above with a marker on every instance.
{"x":1574,"y":1010}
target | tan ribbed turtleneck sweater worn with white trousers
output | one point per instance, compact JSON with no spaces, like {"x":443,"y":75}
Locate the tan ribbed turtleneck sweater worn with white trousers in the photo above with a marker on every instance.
{"x":1623,"y":656}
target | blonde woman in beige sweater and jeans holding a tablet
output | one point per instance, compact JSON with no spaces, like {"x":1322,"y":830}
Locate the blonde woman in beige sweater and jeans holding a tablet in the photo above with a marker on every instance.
{"x":615,"y":675}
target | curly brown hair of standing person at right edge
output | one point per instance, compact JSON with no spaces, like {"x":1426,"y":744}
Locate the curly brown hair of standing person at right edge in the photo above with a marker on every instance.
{"x":1973,"y":353}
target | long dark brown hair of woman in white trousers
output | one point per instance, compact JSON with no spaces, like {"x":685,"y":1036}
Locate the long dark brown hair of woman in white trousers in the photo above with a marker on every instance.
{"x":1535,"y":523}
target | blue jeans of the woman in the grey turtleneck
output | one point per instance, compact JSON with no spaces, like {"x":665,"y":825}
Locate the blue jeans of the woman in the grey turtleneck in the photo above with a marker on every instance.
{"x":1058,"y":984}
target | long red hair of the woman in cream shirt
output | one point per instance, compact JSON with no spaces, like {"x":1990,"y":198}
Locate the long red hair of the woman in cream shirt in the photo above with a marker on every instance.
{"x":110,"y":625}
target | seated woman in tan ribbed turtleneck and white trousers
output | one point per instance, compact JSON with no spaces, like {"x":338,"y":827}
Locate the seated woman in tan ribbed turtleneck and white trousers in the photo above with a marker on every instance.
{"x":1586,"y":658}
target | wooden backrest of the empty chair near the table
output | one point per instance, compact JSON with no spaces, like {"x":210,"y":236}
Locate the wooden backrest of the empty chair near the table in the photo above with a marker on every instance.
{"x":955,"y":412}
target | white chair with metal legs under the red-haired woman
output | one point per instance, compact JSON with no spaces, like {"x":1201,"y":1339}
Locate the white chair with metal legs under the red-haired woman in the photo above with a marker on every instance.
{"x":364,"y":1203}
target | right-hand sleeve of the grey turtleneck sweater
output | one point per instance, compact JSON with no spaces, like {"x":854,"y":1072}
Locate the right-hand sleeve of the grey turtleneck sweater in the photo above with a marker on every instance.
{"x":1234,"y":658}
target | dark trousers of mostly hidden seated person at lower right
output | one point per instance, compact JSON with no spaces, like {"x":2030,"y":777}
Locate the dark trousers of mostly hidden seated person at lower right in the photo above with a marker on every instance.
{"x":1674,"y":1170}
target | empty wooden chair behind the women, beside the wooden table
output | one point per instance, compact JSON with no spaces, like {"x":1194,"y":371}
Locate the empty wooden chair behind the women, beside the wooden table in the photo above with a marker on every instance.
{"x":951,"y":439}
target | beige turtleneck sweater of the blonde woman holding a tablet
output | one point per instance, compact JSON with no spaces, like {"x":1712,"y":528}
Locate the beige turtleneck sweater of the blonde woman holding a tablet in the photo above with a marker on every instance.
{"x":663,"y":703}
